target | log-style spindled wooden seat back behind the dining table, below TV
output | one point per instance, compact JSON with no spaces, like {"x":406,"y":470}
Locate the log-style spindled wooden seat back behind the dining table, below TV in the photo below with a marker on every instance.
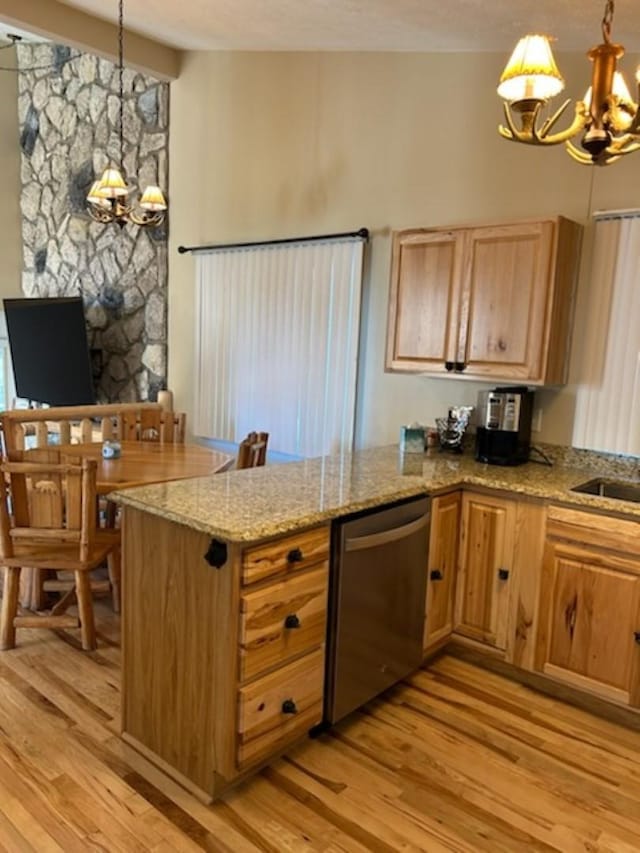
{"x":77,"y":424}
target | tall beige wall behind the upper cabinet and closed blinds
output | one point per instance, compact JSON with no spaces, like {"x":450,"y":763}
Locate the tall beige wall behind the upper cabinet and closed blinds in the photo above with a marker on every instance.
{"x":276,"y":145}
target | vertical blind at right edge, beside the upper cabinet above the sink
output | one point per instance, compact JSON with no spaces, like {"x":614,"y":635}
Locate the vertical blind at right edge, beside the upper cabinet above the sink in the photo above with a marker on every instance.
{"x":608,"y":397}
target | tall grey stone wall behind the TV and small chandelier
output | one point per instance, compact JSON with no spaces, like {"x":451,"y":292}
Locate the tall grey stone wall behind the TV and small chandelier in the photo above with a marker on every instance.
{"x":68,"y":108}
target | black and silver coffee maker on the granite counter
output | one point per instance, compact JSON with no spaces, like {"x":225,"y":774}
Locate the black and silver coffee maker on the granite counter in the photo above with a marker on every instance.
{"x":503,"y":435}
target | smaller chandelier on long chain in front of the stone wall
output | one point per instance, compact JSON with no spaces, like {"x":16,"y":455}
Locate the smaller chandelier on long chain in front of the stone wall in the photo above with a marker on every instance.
{"x":108,"y":198}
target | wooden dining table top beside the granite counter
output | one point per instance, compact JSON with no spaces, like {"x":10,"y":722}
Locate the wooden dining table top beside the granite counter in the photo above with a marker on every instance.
{"x":143,"y":463}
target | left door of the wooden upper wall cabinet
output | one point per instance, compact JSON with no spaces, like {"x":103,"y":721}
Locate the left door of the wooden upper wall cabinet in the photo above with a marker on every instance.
{"x":423,"y":305}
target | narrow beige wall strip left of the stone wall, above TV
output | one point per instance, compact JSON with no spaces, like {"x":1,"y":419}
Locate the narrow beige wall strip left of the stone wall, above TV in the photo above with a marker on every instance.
{"x":10,"y":225}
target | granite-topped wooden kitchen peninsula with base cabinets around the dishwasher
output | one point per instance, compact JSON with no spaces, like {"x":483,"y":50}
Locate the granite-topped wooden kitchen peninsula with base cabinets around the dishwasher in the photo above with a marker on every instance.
{"x":225,"y":588}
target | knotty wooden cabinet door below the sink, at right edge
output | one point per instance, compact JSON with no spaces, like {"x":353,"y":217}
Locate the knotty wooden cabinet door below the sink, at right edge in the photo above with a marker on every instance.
{"x":593,"y":616}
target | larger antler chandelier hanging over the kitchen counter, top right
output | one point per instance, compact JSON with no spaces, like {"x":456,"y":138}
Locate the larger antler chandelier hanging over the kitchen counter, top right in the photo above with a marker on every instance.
{"x":607,"y":117}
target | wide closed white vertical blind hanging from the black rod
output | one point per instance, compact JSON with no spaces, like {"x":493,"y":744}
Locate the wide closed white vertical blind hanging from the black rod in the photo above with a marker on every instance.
{"x":277,"y":330}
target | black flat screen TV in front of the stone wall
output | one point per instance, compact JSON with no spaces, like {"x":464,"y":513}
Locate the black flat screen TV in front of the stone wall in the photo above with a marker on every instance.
{"x":49,"y":350}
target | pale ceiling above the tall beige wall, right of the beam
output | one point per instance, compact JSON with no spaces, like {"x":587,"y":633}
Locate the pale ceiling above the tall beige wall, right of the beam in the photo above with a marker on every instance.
{"x":363,"y":25}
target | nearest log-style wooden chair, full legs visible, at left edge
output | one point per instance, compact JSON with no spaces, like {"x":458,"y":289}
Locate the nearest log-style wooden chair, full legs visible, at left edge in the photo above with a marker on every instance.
{"x":48,"y":521}
